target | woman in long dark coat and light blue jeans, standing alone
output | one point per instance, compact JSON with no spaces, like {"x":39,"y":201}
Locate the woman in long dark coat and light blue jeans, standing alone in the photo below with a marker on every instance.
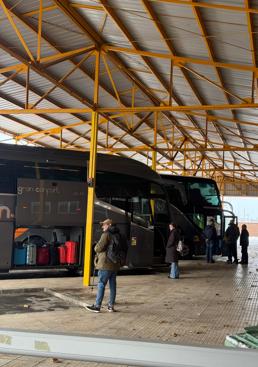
{"x":171,"y":251}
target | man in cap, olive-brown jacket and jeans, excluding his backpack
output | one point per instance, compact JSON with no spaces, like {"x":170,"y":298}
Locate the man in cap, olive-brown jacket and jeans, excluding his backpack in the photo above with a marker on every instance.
{"x":107,"y":270}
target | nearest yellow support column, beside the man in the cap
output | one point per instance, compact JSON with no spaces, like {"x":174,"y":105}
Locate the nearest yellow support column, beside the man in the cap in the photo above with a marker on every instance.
{"x":91,"y":182}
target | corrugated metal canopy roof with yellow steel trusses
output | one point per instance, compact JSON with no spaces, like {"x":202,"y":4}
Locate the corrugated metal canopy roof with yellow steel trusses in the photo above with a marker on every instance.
{"x":177,"y":77}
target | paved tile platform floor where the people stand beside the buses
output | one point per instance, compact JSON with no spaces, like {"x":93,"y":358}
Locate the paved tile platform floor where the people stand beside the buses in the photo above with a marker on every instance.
{"x":208,"y":302}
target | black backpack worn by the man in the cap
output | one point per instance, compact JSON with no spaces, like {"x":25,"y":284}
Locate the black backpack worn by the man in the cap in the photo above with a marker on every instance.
{"x":117,"y":249}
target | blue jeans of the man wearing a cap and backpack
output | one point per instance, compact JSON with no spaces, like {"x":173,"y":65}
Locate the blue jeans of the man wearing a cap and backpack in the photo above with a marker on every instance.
{"x":104,"y":277}
